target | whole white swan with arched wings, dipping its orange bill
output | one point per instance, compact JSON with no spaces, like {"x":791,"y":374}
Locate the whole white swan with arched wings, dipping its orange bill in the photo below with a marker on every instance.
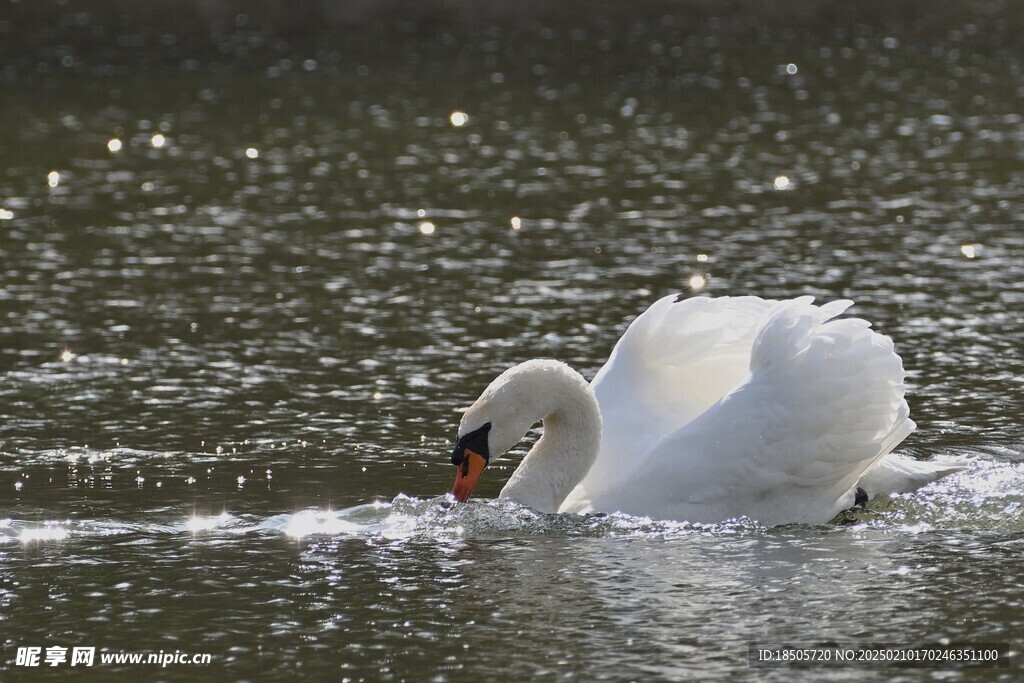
{"x":708,"y":410}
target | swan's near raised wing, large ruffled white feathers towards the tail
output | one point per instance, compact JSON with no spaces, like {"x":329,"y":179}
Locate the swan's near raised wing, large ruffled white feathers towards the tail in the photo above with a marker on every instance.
{"x":824,"y":403}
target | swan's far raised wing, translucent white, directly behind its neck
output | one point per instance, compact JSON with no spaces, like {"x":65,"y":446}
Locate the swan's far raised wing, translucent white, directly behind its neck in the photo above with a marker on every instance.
{"x":674,"y":362}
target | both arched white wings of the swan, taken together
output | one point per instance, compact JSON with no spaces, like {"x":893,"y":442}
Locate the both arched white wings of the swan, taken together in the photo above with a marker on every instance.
{"x":814,"y":405}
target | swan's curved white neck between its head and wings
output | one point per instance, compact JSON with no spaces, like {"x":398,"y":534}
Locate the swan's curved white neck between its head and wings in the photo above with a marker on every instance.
{"x":569,"y":448}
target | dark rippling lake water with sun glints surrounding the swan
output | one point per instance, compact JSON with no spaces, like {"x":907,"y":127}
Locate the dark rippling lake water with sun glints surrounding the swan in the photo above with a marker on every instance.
{"x":252,"y":270}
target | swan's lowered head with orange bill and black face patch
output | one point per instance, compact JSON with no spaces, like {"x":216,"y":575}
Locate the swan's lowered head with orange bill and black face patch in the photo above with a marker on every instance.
{"x":503,"y":414}
